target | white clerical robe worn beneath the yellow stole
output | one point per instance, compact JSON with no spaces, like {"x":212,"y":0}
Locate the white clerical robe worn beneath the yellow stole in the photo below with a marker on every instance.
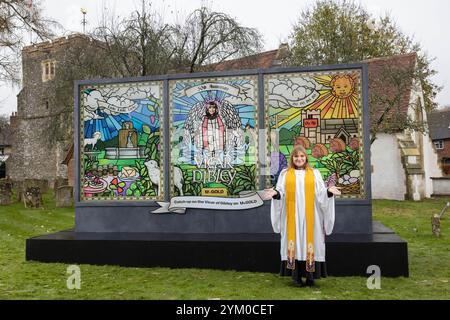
{"x":323,"y":216}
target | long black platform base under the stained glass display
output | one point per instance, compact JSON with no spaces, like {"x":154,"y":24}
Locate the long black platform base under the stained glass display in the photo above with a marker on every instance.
{"x":347,"y":254}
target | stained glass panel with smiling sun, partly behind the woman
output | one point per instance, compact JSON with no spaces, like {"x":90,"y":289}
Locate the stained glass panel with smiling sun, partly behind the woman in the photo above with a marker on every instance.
{"x":322,"y":111}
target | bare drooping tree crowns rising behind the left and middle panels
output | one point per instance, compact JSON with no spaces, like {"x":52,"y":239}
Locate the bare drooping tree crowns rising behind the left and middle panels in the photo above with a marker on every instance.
{"x":143,"y":44}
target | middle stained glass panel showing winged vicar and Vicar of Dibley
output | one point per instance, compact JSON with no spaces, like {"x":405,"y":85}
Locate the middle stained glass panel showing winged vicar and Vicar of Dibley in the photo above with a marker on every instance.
{"x":214,"y":139}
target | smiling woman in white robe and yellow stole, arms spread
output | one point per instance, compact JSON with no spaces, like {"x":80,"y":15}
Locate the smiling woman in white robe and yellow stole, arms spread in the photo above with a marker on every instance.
{"x":302,"y":211}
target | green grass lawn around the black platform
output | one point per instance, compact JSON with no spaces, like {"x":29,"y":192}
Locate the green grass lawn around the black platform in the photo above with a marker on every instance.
{"x":429,"y":262}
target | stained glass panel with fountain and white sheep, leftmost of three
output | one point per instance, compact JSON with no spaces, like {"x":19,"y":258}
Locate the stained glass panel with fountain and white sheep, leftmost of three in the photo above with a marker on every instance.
{"x":121,"y":141}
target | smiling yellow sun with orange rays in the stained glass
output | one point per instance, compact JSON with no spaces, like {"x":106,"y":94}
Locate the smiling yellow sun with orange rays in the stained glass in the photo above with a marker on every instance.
{"x":339,"y":98}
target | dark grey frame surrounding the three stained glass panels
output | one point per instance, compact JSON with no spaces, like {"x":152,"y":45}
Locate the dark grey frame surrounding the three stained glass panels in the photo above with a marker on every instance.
{"x":260,"y":77}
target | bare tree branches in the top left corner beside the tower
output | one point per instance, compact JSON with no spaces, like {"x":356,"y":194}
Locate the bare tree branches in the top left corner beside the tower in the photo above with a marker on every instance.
{"x":18,"y":18}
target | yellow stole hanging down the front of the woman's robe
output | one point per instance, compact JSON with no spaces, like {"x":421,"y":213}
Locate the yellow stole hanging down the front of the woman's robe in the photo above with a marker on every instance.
{"x":290,"y":218}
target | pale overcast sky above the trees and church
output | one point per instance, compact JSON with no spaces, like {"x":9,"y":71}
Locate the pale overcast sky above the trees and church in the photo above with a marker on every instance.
{"x":426,"y":21}
